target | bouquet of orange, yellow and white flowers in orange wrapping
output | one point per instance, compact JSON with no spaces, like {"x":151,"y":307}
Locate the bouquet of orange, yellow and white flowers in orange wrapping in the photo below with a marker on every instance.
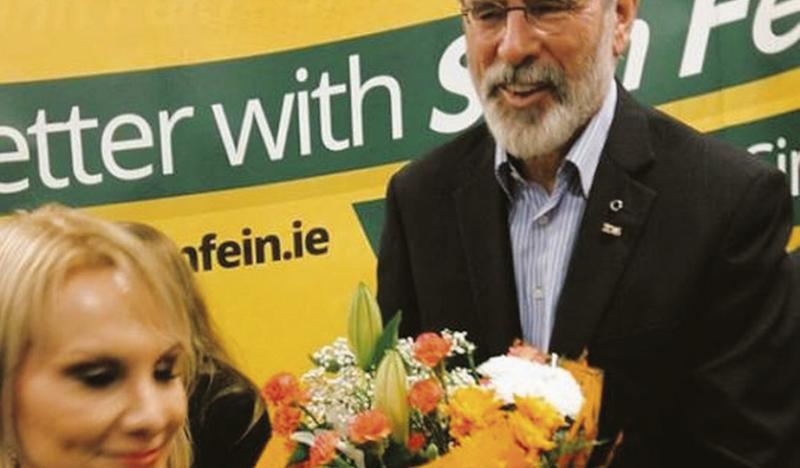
{"x":376,"y":400}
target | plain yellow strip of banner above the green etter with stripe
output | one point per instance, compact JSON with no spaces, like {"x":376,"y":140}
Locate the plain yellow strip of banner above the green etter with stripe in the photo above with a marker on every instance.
{"x":42,"y":39}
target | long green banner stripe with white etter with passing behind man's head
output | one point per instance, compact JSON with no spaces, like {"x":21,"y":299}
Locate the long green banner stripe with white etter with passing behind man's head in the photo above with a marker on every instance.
{"x":280,"y":117}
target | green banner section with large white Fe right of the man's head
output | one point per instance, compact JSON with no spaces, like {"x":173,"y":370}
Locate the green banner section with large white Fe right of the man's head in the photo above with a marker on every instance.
{"x":694,"y":47}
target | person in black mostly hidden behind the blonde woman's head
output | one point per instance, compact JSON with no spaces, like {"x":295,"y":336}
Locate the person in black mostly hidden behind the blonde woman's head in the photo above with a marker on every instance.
{"x":227,"y":418}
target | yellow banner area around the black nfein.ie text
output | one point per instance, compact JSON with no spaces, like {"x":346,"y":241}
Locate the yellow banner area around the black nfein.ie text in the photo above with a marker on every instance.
{"x":275,"y":314}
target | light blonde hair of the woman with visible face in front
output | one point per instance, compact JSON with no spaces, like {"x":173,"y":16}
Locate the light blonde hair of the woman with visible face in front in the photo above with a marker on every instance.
{"x":38,"y":250}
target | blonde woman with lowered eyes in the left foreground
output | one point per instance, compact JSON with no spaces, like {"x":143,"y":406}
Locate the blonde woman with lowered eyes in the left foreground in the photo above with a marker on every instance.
{"x":95,"y":347}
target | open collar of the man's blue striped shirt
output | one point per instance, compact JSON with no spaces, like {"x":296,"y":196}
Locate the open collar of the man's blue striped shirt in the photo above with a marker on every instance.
{"x":584,"y":153}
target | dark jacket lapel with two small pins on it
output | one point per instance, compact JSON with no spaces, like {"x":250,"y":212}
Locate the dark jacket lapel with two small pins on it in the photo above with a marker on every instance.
{"x":608,"y":232}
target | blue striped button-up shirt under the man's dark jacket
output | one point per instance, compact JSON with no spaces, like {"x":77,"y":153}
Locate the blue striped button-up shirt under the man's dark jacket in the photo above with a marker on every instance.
{"x":543,"y":226}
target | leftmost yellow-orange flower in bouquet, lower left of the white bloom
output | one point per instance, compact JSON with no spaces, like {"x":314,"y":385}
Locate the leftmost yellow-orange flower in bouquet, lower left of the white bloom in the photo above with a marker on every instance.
{"x":472,"y":408}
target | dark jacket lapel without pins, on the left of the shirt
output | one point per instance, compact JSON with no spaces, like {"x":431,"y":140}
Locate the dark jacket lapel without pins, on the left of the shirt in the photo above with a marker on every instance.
{"x":481,"y":210}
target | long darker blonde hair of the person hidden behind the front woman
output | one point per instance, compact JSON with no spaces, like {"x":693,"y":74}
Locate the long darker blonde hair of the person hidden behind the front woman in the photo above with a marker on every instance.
{"x":210,"y":353}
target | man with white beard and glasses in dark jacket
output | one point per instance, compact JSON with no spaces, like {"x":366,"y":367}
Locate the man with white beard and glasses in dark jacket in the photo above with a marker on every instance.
{"x":583,"y":222}
